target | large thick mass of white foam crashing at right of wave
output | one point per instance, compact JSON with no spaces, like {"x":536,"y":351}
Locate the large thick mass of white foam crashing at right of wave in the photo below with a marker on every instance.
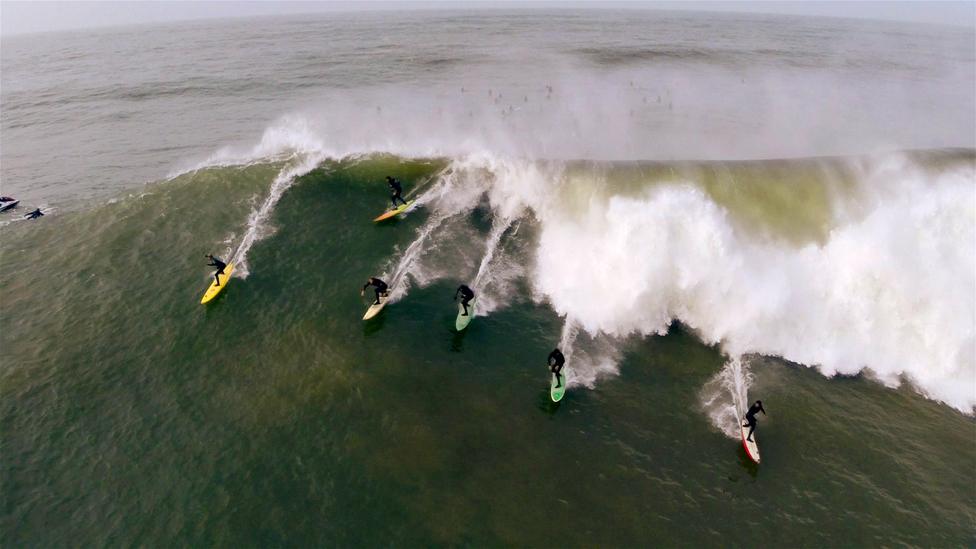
{"x":892,"y":292}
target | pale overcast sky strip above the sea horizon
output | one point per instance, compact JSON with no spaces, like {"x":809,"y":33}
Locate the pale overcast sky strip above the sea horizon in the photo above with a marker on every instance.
{"x":17,"y":17}
